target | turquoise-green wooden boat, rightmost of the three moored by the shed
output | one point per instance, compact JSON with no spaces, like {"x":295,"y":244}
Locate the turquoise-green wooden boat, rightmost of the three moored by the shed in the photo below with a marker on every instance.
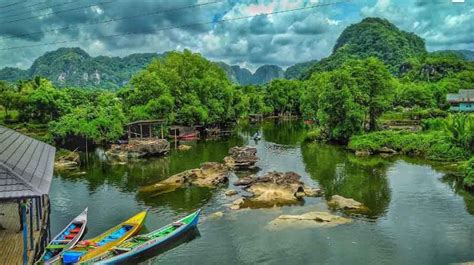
{"x":142,"y":243}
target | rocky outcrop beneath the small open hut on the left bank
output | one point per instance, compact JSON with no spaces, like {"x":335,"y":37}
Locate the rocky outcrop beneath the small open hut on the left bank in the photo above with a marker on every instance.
{"x":139,"y":149}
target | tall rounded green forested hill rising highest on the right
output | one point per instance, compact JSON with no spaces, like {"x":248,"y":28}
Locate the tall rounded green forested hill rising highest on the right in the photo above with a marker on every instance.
{"x":373,"y":37}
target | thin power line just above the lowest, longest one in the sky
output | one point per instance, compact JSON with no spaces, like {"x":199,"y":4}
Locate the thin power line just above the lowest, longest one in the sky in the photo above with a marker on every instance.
{"x":114,"y":19}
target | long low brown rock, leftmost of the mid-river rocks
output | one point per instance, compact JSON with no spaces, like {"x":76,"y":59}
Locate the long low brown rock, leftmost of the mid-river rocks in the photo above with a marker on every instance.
{"x":210,"y":174}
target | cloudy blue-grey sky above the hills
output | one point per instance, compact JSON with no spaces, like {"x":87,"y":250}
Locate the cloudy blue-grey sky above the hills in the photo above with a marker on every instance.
{"x":247,"y":38}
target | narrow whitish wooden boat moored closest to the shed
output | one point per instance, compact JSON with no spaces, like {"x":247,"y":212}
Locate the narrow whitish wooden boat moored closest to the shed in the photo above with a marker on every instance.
{"x":65,"y":240}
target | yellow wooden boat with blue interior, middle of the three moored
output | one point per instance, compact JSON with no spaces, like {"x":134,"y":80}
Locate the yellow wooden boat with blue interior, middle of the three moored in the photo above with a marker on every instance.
{"x":87,"y":250}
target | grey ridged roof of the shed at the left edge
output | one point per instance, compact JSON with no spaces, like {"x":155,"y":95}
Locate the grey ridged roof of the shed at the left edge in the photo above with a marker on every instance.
{"x":26,"y":165}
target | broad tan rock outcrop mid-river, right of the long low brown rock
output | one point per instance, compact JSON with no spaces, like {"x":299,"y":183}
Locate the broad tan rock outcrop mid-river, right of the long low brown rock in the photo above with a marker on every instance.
{"x":275,"y":188}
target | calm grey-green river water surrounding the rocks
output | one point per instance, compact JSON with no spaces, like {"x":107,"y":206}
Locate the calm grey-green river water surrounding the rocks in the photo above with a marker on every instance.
{"x":418,"y":216}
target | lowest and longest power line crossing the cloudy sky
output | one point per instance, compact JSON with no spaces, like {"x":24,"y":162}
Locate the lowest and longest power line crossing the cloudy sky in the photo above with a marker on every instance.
{"x":177,"y":27}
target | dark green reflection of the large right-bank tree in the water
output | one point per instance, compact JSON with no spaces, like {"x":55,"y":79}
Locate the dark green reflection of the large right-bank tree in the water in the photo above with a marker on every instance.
{"x":339,"y":172}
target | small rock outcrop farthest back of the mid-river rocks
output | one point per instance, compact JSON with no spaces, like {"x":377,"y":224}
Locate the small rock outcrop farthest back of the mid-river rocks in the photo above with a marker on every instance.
{"x":241,"y":157}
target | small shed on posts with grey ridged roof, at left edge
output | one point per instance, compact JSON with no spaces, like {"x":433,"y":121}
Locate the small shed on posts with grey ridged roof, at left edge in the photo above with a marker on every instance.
{"x":26,"y":171}
